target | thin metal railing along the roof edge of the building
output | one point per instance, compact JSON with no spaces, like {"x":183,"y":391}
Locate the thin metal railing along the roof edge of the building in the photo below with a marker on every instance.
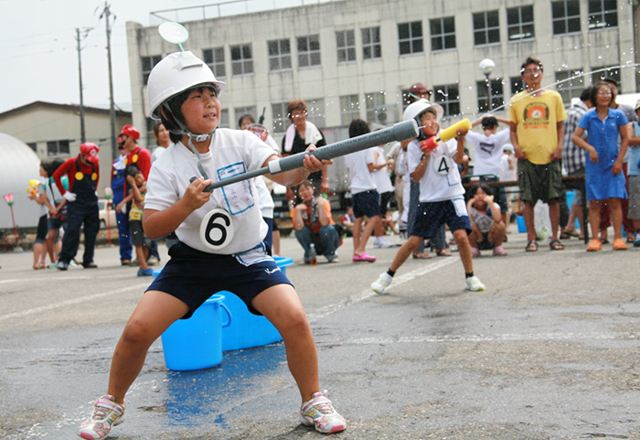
{"x":225,"y":9}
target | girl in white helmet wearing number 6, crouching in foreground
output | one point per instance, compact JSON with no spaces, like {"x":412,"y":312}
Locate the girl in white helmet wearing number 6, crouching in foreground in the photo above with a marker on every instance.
{"x":221,"y":239}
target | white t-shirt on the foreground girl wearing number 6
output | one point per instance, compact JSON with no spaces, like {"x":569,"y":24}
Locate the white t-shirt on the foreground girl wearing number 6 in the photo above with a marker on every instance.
{"x":231,"y":152}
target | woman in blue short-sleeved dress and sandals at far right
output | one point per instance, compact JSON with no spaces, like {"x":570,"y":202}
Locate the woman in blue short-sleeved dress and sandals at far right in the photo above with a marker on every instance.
{"x":604,"y":178}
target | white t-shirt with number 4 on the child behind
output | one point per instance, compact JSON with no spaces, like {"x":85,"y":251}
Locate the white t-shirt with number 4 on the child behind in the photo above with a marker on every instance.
{"x":441,"y":180}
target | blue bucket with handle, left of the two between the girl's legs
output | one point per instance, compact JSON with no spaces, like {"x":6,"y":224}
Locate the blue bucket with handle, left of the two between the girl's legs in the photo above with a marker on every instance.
{"x":196,"y":343}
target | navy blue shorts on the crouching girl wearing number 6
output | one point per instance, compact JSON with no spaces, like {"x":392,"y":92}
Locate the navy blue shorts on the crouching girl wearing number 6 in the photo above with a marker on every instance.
{"x":193,"y":276}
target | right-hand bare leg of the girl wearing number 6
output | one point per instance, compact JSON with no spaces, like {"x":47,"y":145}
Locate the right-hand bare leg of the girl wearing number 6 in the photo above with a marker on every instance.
{"x":281,"y":305}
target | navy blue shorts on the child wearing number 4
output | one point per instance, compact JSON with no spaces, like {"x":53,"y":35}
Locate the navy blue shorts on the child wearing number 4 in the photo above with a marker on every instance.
{"x":430,"y":216}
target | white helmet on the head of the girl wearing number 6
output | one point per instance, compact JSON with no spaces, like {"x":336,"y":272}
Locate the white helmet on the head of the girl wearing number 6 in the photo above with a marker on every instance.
{"x":174,"y":74}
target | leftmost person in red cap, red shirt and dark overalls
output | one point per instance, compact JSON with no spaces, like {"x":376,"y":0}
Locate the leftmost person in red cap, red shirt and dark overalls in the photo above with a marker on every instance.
{"x":81,"y":200}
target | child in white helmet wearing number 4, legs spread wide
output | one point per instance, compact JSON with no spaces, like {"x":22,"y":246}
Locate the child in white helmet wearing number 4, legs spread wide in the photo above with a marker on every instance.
{"x":441,"y":193}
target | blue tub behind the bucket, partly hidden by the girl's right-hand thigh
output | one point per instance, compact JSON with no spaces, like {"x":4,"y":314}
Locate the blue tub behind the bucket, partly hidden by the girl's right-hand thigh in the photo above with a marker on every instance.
{"x":248,"y":330}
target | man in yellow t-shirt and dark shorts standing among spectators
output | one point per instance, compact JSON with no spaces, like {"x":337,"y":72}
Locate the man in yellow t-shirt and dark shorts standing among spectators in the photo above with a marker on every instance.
{"x":537,"y":133}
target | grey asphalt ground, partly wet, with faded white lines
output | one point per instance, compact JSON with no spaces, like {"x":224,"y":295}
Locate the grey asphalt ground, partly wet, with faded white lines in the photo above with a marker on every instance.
{"x":549,"y":351}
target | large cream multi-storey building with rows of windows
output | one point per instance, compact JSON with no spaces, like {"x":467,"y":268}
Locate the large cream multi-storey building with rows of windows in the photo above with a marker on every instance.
{"x":349,"y":58}
